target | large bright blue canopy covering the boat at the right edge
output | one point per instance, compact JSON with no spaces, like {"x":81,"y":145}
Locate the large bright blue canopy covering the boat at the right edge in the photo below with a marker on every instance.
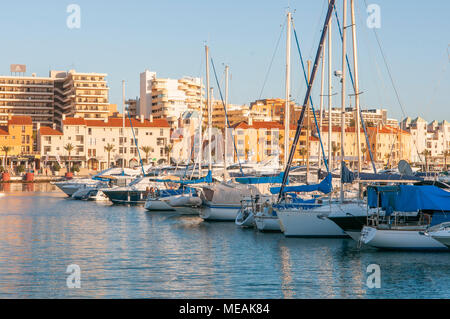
{"x":408,"y":198}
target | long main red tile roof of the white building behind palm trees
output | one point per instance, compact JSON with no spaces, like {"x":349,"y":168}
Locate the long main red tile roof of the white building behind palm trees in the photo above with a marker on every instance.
{"x":115,"y":122}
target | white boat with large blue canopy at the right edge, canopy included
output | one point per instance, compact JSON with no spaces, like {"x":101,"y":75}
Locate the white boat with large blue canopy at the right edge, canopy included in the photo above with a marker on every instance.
{"x":409,"y":212}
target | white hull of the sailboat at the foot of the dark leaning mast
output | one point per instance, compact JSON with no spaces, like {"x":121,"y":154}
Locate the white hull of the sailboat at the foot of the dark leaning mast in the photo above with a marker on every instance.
{"x":308,"y":223}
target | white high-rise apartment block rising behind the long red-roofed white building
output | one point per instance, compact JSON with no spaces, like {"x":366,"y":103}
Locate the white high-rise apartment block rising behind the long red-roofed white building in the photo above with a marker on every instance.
{"x":168,"y":98}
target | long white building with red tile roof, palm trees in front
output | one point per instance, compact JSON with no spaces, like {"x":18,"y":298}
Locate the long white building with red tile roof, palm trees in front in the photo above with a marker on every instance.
{"x":89,"y":137}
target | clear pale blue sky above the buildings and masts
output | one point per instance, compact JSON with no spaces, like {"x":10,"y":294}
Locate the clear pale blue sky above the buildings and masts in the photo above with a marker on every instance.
{"x":123,"y":38}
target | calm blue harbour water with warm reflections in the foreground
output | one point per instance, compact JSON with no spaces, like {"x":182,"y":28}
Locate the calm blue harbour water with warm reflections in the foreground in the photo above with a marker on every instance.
{"x":126,"y":252}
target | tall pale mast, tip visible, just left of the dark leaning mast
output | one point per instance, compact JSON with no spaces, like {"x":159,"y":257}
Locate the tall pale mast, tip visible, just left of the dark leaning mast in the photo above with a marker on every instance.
{"x":288,"y":88}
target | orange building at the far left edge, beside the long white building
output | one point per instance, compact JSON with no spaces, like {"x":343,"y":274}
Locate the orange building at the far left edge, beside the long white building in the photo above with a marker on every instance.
{"x":17,"y":134}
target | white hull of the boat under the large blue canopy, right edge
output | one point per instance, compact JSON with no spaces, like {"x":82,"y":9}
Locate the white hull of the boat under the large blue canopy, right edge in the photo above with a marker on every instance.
{"x":399,"y":239}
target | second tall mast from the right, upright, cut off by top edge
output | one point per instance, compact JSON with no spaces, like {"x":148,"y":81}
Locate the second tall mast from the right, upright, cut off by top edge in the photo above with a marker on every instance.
{"x":344,"y":52}
